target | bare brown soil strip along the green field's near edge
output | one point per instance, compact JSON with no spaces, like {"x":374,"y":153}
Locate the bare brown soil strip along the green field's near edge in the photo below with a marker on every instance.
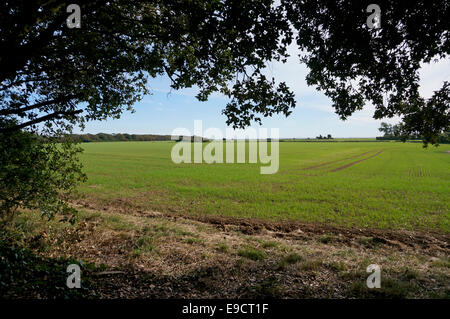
{"x":430,"y":241}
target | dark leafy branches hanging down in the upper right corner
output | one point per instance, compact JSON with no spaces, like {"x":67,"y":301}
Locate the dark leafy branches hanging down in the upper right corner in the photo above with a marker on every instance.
{"x":355,"y":65}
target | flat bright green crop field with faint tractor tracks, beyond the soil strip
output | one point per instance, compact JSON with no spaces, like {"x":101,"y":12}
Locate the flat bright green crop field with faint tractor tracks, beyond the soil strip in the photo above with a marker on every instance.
{"x":403,"y":187}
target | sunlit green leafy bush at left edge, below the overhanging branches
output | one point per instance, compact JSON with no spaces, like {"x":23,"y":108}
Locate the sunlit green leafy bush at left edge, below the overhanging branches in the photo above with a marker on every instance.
{"x":36,"y":172}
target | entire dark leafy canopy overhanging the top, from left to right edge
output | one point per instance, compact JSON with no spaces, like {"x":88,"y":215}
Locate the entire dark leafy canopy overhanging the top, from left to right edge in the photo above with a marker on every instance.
{"x":59,"y":75}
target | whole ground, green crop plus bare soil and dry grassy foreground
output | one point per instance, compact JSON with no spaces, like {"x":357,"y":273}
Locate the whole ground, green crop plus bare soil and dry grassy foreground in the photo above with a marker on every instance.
{"x":148,"y":228}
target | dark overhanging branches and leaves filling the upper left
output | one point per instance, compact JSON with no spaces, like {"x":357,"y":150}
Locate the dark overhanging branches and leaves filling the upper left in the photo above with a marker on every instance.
{"x":49,"y":72}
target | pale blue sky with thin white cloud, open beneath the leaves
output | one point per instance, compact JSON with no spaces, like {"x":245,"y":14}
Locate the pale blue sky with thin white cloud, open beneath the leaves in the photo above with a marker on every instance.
{"x":165,"y":110}
